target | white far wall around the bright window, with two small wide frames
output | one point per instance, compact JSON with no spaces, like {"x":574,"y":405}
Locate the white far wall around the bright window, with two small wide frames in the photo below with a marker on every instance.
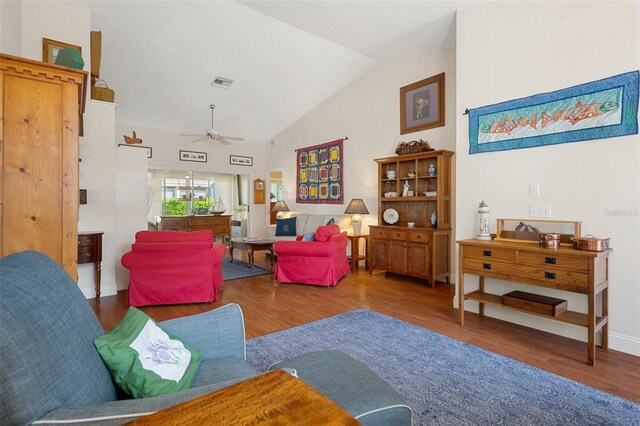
{"x":166,"y":145}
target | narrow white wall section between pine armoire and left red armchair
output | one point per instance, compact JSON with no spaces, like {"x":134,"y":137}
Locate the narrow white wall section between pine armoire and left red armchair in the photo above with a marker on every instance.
{"x":97,"y":171}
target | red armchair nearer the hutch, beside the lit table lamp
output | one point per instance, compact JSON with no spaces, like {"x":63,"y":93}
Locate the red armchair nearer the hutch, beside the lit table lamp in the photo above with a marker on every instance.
{"x":321,"y":262}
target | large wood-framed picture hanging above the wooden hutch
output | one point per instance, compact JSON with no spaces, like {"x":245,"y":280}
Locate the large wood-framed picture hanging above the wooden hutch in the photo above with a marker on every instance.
{"x":422,"y":105}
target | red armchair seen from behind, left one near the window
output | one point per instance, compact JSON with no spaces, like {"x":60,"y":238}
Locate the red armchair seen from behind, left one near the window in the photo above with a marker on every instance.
{"x":172,"y":267}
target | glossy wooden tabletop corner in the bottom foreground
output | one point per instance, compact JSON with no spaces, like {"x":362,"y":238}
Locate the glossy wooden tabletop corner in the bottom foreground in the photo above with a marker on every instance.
{"x":274,"y":398}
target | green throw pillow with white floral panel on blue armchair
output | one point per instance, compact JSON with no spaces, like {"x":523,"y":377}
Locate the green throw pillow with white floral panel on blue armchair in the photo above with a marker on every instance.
{"x":146,"y":361}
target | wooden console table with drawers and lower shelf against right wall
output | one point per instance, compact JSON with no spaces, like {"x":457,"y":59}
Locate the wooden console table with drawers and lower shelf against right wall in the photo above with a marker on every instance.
{"x":577,"y":271}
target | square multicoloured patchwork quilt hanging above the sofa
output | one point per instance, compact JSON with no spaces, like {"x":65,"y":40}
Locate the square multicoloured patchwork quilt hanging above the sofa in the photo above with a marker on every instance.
{"x":319,"y":179}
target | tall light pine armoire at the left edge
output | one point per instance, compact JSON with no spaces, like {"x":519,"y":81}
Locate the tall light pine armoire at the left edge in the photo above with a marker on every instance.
{"x":41,"y":106}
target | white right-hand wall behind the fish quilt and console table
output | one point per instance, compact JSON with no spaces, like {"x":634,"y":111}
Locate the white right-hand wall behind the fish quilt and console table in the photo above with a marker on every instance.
{"x":508,"y":50}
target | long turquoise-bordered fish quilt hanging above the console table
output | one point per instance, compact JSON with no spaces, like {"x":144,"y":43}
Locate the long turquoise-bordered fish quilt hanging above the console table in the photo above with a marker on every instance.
{"x":601,"y":109}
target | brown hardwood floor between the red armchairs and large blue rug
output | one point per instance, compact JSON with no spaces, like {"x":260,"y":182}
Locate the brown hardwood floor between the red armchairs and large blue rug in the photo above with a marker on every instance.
{"x":269,"y":306}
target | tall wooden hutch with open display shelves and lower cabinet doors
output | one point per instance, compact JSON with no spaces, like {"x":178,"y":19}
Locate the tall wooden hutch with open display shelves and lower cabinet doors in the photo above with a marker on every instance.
{"x":424,"y":250}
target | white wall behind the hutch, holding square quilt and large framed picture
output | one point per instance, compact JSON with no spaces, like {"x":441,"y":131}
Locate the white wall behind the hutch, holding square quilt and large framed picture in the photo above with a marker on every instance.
{"x":368,"y":112}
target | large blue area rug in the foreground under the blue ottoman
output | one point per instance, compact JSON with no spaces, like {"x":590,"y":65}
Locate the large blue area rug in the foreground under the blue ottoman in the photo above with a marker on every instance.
{"x":446,"y":381}
